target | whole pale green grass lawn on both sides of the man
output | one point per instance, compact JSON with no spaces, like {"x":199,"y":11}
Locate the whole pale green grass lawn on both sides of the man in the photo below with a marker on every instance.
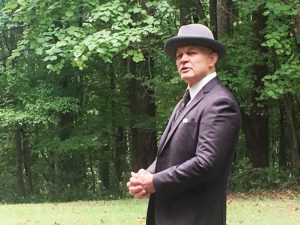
{"x":247,"y":210}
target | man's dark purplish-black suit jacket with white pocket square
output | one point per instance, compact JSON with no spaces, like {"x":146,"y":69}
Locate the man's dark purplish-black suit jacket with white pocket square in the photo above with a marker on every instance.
{"x":193,"y":161}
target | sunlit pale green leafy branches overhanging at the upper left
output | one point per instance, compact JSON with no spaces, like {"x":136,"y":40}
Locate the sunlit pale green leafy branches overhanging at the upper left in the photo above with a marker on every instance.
{"x":100,"y":31}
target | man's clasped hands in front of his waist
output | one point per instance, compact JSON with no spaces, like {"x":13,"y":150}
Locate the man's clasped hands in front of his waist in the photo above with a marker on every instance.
{"x":140,"y":184}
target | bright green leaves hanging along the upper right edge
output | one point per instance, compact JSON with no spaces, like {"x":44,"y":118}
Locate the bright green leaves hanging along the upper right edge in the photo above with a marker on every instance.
{"x":285,"y":51}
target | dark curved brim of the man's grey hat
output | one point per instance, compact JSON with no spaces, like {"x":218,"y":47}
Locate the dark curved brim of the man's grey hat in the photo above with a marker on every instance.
{"x":175,"y":42}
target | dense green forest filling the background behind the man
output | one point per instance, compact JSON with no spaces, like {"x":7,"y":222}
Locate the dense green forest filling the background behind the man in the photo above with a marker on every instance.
{"x":86,"y":91}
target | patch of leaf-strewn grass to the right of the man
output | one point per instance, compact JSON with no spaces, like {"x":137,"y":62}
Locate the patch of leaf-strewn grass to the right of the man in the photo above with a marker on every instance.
{"x":260,"y":210}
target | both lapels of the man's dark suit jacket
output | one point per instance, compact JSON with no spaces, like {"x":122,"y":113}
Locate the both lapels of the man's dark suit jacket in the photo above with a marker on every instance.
{"x":169,"y":131}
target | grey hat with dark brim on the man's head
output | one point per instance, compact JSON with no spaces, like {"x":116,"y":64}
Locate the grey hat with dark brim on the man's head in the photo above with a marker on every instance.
{"x":194,"y":34}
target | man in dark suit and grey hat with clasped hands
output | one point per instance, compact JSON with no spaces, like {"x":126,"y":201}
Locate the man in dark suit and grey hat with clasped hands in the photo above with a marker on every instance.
{"x":187,"y":182}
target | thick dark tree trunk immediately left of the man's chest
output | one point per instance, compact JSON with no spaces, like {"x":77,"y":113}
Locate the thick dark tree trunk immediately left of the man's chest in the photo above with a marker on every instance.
{"x":142,"y":107}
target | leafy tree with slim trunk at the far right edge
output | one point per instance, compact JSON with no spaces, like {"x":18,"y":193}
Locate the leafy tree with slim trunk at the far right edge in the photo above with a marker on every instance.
{"x":283,"y":40}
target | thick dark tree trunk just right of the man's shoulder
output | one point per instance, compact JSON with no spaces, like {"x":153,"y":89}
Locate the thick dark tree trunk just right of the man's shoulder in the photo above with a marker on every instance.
{"x":255,"y":123}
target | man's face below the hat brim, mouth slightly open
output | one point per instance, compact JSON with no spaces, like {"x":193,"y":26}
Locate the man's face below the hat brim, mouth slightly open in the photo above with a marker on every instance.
{"x":194,"y":63}
